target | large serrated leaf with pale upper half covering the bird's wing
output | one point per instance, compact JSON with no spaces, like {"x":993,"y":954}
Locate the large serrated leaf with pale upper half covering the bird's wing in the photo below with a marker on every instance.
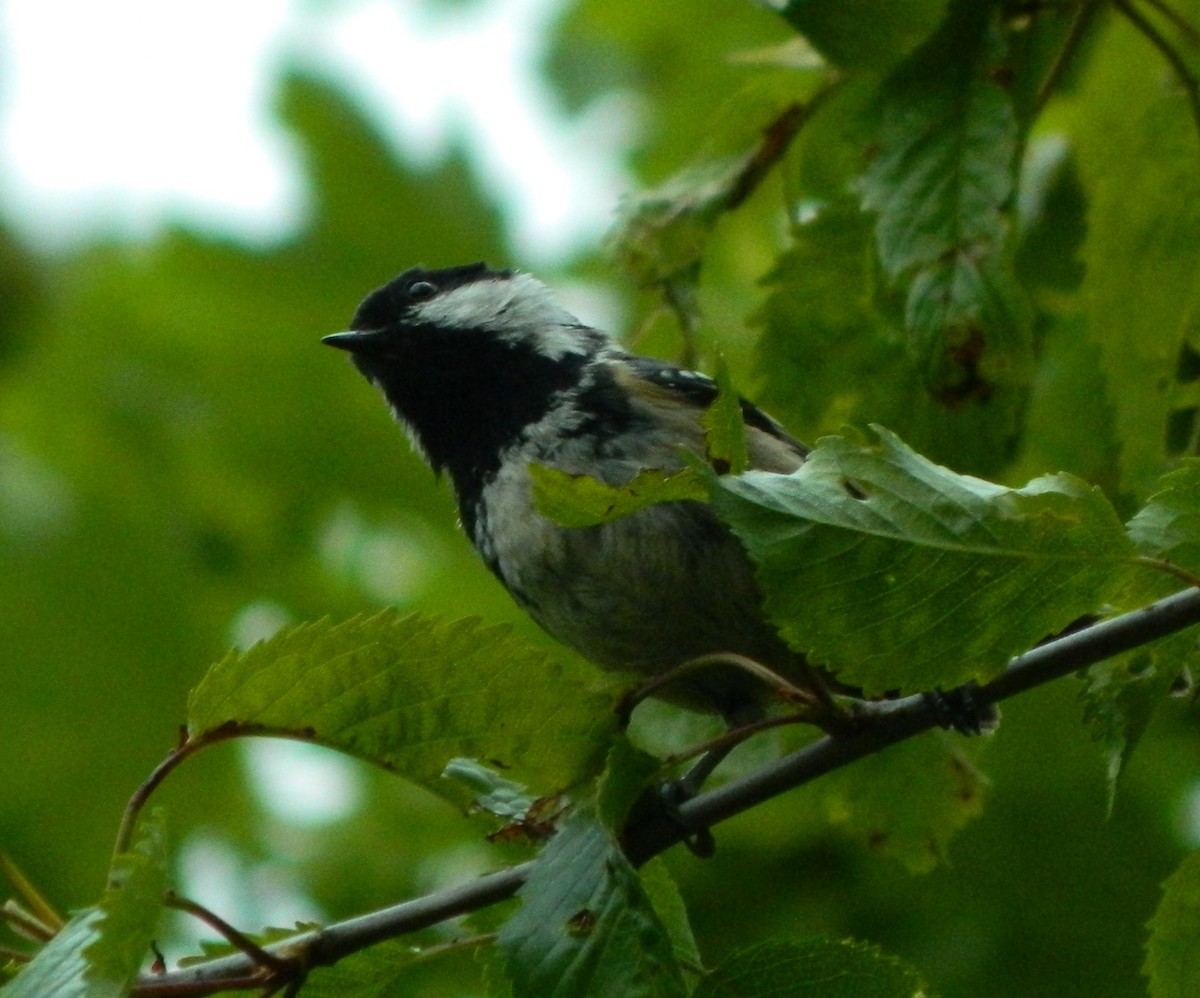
{"x":901,"y":575}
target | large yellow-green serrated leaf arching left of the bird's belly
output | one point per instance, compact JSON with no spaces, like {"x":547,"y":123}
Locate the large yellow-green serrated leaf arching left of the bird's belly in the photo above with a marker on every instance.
{"x":413,"y":693}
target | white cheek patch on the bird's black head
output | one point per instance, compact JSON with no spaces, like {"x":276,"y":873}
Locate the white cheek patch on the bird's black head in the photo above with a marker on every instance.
{"x":518,"y":309}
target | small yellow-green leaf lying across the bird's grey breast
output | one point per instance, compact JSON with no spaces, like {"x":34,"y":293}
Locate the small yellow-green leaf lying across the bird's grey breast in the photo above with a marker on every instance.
{"x":580,"y":501}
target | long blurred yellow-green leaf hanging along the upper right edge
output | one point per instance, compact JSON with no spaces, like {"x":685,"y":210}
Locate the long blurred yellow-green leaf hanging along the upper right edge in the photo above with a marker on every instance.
{"x":1142,"y":250}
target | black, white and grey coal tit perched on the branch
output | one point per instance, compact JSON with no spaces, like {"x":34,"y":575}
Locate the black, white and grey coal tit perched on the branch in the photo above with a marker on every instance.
{"x":489,"y":375}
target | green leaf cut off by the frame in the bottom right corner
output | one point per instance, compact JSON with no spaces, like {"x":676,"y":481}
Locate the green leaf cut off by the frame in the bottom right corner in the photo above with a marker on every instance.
{"x":1173,"y":952}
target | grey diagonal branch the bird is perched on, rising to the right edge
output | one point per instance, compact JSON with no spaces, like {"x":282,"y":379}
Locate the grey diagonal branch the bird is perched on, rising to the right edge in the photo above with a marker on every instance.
{"x":887,"y":724}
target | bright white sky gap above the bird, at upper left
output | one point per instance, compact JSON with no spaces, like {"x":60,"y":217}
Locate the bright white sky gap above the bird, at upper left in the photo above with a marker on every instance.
{"x":115,"y":116}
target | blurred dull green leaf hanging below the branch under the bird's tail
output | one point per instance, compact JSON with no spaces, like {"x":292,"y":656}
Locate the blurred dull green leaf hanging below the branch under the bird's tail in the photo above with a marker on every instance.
{"x":908,"y":803}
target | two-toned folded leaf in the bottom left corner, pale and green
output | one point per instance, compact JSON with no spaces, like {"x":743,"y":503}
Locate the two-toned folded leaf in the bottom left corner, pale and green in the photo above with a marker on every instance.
{"x":99,"y":952}
